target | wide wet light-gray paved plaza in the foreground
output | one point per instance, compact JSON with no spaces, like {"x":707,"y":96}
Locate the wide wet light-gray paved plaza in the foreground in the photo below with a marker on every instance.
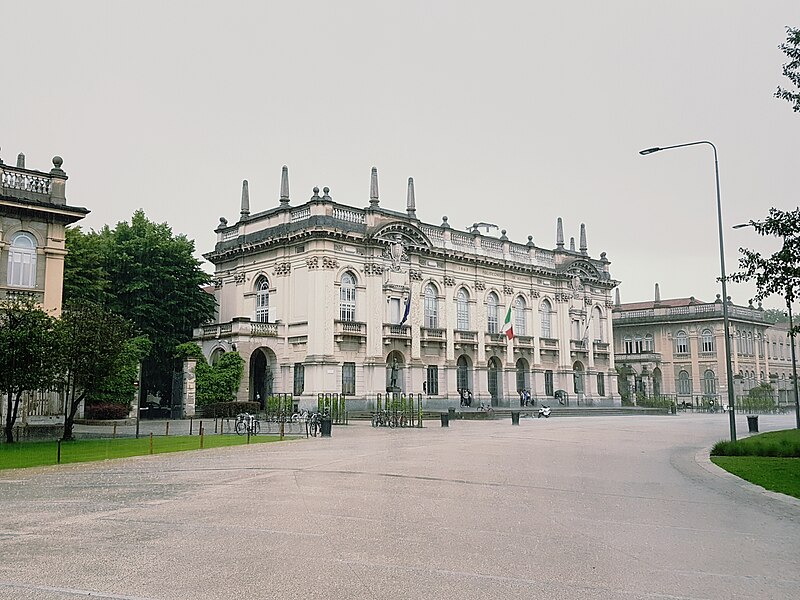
{"x":600,"y":508}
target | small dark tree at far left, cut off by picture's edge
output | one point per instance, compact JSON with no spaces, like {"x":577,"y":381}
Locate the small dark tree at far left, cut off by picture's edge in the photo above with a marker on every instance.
{"x":28,"y":344}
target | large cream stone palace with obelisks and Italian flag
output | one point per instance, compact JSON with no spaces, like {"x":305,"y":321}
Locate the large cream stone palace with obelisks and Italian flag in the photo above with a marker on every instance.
{"x":324,"y":297}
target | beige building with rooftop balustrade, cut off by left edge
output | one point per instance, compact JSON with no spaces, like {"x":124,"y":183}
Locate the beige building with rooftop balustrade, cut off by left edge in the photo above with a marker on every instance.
{"x":33,"y":215}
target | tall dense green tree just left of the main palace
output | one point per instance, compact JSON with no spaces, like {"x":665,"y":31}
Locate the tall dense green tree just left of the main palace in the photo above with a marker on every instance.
{"x":152,"y":279}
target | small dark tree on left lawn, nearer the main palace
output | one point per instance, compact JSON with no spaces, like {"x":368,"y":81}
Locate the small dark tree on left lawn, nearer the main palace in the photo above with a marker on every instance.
{"x":92,"y":343}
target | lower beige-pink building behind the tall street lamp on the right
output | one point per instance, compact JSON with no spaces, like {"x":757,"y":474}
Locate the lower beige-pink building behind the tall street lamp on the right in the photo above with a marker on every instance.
{"x":676,"y":347}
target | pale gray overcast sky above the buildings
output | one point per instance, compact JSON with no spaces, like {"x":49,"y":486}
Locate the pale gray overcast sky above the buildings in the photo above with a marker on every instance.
{"x":514,"y":113}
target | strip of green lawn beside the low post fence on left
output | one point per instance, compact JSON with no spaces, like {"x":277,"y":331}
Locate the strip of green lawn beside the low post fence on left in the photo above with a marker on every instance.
{"x":37,"y":454}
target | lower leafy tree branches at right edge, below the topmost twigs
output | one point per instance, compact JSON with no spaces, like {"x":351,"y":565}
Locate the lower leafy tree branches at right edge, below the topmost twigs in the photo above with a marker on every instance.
{"x":778,"y":273}
